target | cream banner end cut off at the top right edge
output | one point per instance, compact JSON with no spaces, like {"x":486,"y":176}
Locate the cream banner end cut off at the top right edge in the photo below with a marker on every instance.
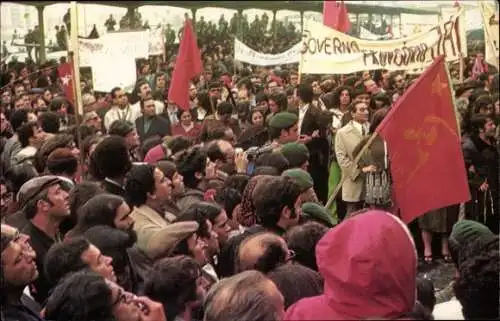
{"x":490,"y":25}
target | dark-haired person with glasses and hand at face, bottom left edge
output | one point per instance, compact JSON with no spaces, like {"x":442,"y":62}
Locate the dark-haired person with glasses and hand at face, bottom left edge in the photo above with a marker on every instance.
{"x":85,"y":295}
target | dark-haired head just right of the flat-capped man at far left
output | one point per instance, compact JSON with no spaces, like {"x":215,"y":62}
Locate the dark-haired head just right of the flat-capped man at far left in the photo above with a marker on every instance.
{"x":103,"y":209}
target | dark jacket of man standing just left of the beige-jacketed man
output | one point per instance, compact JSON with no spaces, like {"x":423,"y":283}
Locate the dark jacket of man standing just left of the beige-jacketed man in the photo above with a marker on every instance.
{"x":318,"y":151}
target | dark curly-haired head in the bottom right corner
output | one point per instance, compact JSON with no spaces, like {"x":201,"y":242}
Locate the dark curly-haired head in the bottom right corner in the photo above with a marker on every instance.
{"x":477,"y":287}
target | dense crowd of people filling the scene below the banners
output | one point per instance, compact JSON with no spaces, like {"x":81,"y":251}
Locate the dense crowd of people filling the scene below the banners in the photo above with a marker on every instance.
{"x":140,"y":210}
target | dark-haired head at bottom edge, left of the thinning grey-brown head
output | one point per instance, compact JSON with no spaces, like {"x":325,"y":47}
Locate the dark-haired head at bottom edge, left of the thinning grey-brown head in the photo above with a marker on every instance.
{"x":174,"y":282}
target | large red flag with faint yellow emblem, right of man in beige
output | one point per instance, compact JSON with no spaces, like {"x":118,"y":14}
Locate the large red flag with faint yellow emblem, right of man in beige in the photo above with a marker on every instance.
{"x":426,"y":160}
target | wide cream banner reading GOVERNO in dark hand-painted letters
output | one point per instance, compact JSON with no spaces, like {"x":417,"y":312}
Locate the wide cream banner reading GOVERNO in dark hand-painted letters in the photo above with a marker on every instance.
{"x":326,"y":50}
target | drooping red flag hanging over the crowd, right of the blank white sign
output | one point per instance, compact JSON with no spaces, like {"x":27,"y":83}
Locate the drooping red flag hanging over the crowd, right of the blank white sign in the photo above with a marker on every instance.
{"x":187,"y":66}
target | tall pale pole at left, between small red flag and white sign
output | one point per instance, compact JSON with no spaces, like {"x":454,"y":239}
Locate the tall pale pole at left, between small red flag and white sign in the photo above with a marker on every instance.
{"x":74,"y":56}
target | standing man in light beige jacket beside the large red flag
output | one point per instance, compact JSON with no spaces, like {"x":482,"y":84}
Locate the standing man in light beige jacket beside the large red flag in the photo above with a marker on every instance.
{"x":346,"y":140}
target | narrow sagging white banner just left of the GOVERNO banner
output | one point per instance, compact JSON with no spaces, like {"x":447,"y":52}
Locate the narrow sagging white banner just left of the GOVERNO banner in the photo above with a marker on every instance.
{"x":246,"y":54}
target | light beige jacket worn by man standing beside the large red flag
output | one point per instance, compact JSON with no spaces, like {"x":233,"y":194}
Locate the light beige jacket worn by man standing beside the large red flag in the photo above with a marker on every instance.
{"x":346,"y":140}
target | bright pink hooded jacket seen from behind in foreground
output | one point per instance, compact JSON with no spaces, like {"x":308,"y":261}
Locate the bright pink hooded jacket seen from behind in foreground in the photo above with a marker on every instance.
{"x":369,"y":264}
